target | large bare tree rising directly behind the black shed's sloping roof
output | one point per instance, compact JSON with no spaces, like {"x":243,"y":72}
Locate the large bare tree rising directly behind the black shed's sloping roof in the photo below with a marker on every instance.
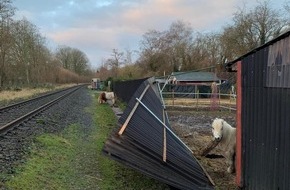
{"x":251,"y":29}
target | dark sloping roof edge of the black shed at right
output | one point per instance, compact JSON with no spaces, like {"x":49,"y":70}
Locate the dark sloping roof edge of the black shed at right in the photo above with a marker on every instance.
{"x":230,"y":64}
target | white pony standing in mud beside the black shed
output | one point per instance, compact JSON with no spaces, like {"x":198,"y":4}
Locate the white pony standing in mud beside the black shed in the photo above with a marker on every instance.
{"x":225,"y":134}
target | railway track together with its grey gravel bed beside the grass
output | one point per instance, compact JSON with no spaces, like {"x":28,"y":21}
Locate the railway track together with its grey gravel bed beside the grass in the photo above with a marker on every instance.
{"x":17,"y":139}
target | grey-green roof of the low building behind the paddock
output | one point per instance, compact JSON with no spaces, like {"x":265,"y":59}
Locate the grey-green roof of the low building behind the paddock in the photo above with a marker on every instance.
{"x":195,"y":76}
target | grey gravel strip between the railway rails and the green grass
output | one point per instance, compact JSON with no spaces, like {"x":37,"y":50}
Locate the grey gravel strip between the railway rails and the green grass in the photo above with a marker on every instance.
{"x":14,"y":144}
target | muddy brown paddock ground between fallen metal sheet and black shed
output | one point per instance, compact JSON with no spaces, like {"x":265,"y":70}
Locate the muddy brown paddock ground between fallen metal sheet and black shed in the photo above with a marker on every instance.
{"x":194,"y":128}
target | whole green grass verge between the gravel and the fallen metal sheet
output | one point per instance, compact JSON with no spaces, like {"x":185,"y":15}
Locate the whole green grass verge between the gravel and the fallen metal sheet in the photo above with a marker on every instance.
{"x":74,"y":160}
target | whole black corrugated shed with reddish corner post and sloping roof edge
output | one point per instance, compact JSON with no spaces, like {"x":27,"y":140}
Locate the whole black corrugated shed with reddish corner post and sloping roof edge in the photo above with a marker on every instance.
{"x":263,"y":122}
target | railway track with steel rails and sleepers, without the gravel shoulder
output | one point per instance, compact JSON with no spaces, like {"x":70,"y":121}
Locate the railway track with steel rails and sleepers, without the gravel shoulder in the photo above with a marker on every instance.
{"x":15,"y":114}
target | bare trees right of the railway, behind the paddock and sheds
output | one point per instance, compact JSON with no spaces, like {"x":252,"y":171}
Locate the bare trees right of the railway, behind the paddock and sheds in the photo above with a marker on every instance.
{"x":181,"y":48}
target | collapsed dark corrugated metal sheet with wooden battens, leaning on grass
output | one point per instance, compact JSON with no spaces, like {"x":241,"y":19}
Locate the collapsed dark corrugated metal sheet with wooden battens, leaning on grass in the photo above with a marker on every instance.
{"x":145,"y":142}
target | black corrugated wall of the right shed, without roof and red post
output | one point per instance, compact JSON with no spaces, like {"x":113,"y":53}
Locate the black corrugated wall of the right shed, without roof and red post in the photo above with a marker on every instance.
{"x":265,"y":126}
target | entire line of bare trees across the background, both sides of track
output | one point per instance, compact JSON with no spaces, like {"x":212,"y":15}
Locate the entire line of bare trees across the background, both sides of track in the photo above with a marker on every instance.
{"x":26,"y":60}
